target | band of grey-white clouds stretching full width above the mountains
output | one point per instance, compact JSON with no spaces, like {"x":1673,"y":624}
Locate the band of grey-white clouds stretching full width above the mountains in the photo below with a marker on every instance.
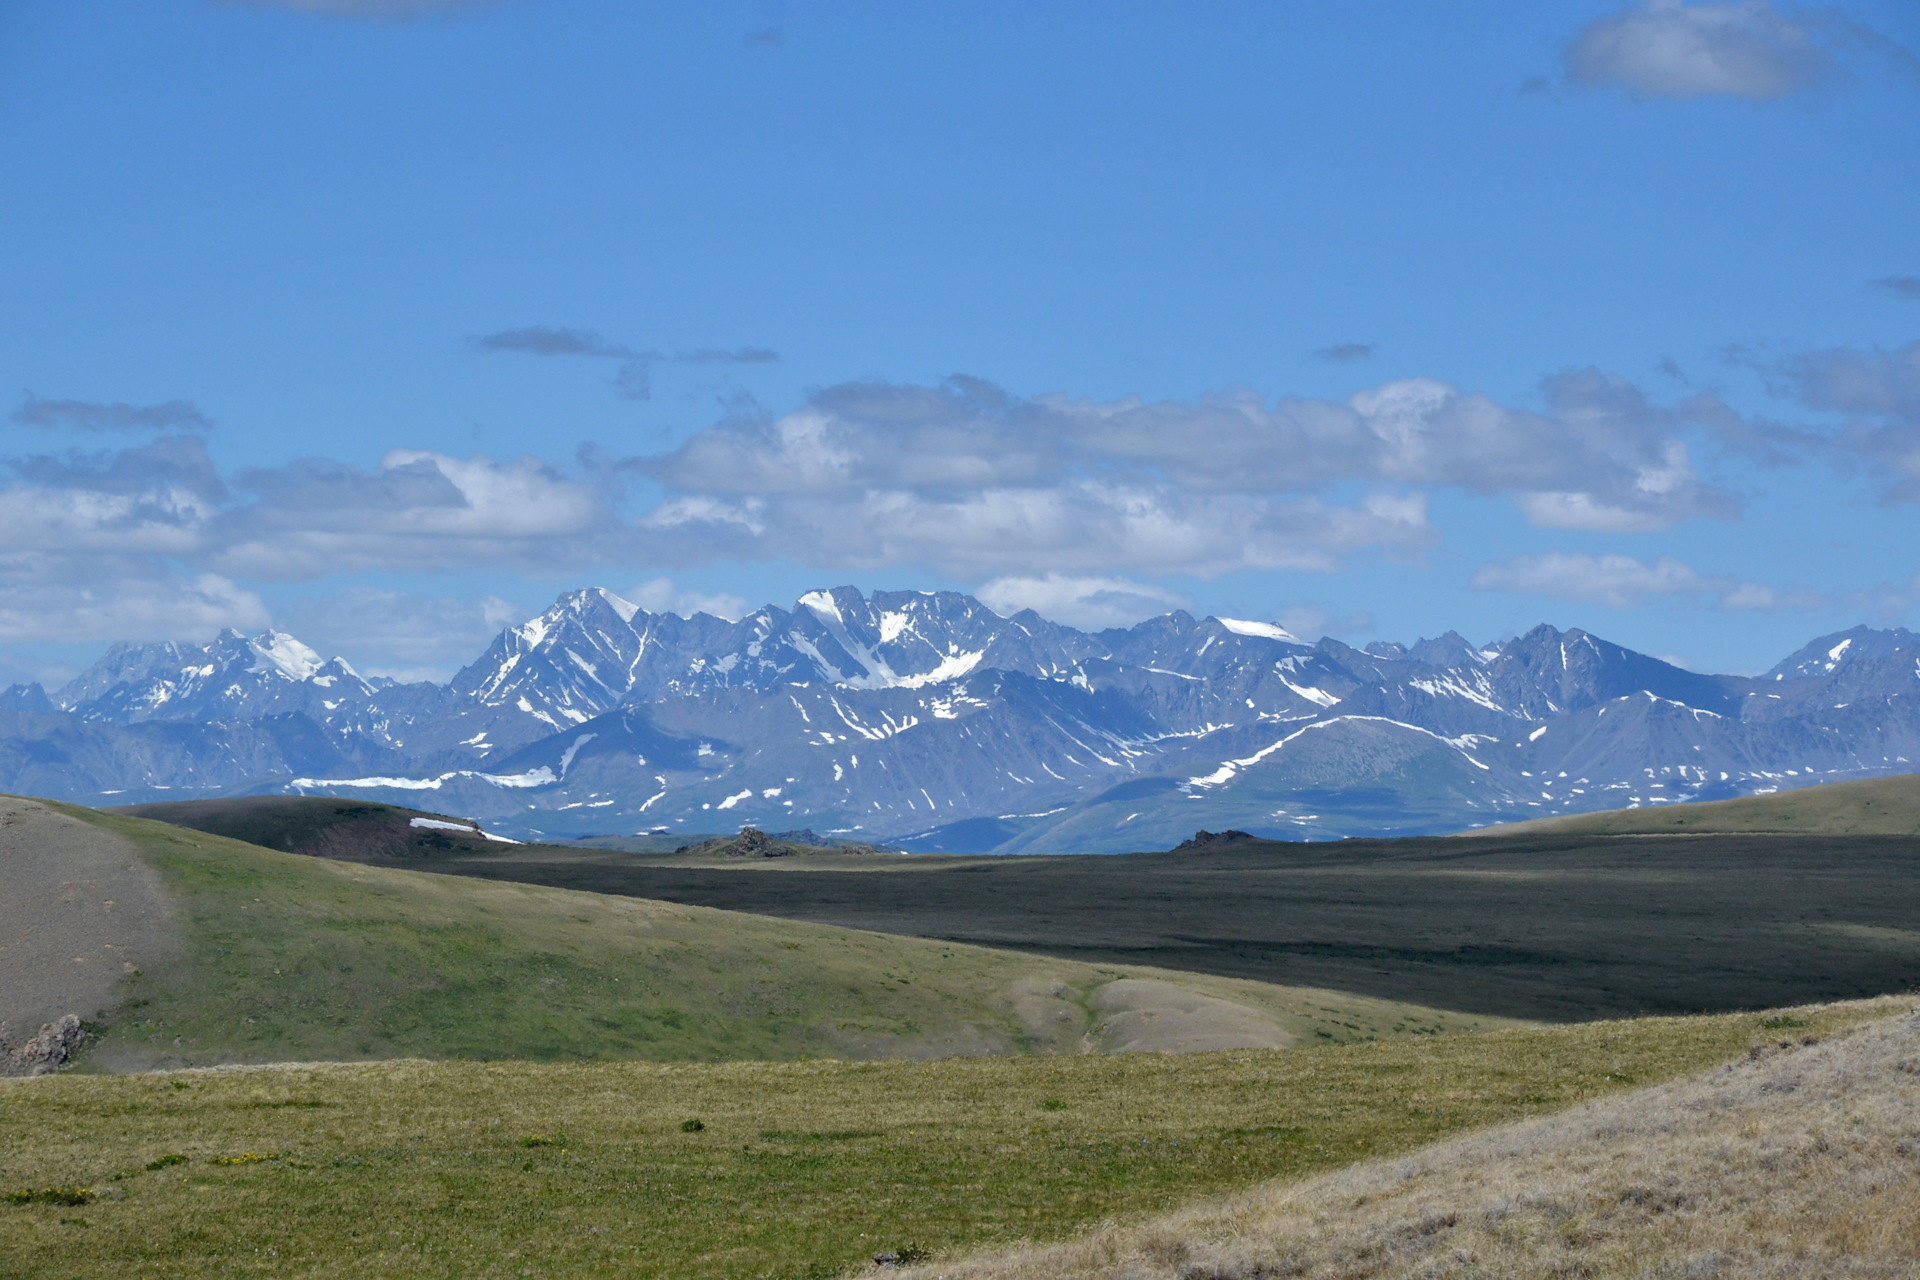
{"x":1072,"y":508}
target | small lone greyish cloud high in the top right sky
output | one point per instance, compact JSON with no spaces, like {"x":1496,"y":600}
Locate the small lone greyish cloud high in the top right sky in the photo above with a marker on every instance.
{"x":1666,"y":49}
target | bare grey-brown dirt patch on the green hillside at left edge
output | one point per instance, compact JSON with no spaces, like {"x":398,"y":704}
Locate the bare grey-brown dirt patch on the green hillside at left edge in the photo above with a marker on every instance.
{"x":82,"y":911}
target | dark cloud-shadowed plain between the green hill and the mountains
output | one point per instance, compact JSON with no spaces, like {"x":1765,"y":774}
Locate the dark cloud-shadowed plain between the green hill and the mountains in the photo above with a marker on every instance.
{"x":1533,"y":926}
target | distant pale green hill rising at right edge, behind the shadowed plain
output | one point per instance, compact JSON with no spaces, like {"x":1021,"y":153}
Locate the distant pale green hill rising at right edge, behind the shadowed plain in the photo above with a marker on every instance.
{"x":1869,"y":807}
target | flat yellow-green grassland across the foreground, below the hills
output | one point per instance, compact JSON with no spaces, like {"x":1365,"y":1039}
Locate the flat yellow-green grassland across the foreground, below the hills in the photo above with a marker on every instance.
{"x":796,"y":1170}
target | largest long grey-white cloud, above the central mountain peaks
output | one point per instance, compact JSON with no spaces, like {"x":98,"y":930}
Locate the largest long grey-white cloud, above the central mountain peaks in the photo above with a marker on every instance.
{"x":976,"y":483}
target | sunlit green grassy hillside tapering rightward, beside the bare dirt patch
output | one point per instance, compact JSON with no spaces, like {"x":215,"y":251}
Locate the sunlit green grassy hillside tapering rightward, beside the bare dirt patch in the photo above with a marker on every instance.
{"x":291,"y":959}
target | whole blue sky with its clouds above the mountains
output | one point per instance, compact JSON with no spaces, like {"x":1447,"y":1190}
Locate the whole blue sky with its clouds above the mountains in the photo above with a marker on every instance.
{"x":387,"y":321}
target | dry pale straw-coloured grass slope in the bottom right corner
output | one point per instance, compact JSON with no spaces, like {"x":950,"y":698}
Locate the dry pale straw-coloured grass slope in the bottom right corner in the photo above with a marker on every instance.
{"x":1798,"y":1162}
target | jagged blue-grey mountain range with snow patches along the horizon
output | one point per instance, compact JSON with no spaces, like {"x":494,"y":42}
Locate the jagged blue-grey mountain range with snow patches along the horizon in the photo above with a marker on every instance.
{"x":930,"y":723}
